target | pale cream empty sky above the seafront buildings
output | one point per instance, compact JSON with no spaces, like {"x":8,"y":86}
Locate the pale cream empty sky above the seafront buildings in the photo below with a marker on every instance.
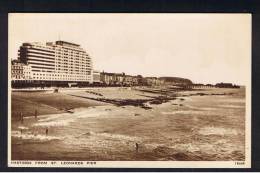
{"x":205,"y":48}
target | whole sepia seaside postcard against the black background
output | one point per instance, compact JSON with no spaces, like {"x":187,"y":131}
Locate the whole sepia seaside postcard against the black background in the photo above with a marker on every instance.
{"x":164,"y":90}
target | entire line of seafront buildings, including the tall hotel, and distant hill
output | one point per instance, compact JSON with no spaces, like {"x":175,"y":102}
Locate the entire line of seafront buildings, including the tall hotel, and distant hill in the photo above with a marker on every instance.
{"x":64,"y":64}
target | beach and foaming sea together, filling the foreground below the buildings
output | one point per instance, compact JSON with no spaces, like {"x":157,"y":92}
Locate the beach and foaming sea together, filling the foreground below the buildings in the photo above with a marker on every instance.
{"x":109,"y":124}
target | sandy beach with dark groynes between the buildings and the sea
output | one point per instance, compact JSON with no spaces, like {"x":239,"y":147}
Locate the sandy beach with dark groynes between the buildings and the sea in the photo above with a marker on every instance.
{"x":66,"y":100}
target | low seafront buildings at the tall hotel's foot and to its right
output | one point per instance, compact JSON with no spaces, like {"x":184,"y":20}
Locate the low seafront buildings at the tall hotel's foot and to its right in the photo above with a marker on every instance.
{"x":23,"y":75}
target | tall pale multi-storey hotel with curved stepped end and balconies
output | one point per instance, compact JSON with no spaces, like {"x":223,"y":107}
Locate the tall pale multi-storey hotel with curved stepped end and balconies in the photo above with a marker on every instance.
{"x":59,"y":61}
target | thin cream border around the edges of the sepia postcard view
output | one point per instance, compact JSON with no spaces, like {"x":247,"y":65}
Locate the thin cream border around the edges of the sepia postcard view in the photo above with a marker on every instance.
{"x":139,"y":164}
